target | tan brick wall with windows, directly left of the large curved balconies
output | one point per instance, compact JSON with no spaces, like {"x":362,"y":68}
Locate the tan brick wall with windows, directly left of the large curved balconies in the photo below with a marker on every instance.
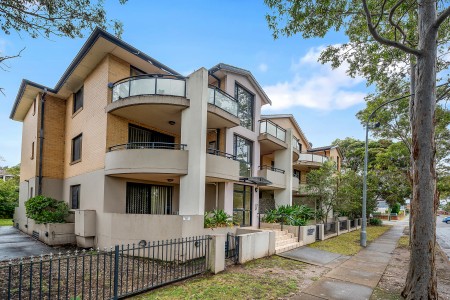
{"x":90,"y":121}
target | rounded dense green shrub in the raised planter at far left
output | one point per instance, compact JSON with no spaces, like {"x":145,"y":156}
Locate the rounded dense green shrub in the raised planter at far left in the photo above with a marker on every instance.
{"x":46,"y":210}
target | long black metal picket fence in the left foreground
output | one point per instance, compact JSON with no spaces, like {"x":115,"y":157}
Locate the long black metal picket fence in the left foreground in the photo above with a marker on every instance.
{"x":104,"y":274}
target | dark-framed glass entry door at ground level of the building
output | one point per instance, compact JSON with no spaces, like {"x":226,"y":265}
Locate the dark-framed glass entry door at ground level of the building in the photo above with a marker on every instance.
{"x":242,"y":204}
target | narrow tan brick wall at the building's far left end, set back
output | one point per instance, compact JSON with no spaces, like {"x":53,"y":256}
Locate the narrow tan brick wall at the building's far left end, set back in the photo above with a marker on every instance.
{"x":28,"y":166}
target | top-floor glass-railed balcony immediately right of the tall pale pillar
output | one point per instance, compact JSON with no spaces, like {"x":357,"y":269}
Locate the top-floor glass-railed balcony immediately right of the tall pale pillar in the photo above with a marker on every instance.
{"x":222,"y":109}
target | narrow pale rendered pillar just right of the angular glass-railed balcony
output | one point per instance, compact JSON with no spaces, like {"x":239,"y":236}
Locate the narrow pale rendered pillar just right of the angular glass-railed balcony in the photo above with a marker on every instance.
{"x":283,"y":160}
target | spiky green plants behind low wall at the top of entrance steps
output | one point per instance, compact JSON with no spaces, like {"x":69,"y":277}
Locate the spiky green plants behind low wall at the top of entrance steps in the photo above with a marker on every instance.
{"x":295,"y":215}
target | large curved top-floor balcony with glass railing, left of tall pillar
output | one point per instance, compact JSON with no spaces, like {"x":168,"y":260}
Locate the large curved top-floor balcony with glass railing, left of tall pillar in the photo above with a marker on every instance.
{"x":149,"y":99}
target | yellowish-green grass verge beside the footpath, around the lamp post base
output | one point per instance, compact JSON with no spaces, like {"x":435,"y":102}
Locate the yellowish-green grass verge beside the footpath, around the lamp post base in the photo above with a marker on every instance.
{"x":348,"y":243}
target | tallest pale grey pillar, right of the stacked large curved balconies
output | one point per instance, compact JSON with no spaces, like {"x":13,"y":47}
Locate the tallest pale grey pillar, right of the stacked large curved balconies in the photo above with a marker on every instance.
{"x":193,"y":133}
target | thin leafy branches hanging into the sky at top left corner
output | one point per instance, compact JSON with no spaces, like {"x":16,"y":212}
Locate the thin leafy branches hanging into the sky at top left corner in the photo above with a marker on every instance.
{"x":52,"y":17}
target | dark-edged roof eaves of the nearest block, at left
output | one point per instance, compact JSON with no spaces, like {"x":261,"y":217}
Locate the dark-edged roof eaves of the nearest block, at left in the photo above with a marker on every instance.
{"x":94,"y":49}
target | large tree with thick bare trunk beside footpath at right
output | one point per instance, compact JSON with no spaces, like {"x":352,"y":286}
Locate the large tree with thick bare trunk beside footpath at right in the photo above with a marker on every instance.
{"x":382,"y":34}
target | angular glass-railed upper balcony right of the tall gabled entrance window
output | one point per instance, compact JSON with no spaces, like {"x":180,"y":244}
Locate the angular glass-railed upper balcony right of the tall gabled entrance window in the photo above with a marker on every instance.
{"x":272,"y":137}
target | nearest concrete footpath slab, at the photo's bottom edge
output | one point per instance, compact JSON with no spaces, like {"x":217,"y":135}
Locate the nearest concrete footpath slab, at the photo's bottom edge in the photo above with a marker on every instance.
{"x":329,"y":288}
